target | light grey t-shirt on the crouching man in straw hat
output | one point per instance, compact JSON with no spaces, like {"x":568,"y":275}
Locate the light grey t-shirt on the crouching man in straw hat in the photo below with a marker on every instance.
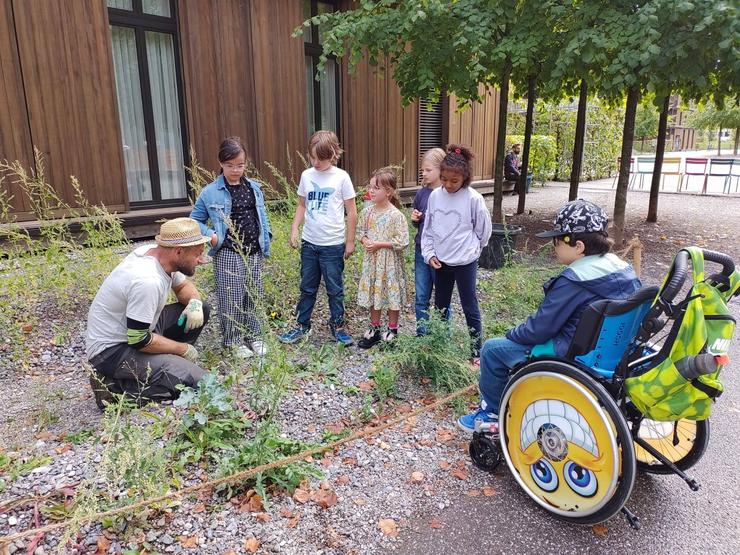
{"x":137,"y":288}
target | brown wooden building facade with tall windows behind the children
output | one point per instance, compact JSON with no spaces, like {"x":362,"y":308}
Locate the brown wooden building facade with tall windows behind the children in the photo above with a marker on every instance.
{"x":115,"y":92}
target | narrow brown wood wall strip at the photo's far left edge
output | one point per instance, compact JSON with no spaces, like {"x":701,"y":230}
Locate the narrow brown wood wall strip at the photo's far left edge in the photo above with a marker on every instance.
{"x":15,"y":132}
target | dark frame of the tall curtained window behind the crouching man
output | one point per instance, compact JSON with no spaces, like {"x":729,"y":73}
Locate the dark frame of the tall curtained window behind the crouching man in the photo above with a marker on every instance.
{"x":141,"y":23}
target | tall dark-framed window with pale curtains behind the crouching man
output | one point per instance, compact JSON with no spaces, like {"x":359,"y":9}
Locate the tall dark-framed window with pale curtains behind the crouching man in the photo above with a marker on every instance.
{"x":144,"y":45}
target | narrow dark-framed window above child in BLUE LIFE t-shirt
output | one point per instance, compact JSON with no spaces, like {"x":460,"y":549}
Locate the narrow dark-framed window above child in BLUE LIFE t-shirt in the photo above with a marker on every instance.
{"x":322,"y":95}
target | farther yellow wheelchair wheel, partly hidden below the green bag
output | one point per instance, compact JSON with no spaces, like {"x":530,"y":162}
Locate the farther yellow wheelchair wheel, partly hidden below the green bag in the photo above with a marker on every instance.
{"x":683,"y":443}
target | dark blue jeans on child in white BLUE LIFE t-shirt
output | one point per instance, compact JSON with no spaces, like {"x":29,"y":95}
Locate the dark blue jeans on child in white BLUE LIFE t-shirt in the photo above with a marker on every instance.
{"x":319,"y":261}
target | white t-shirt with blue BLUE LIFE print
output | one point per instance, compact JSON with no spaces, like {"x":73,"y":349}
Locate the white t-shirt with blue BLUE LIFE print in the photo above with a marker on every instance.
{"x":325,"y":193}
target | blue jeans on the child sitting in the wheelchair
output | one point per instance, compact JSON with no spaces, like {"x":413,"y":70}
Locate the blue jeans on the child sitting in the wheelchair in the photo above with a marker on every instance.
{"x":498,"y":356}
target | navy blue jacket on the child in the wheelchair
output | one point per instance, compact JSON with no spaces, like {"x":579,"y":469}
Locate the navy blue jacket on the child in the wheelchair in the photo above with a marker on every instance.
{"x":567,"y":295}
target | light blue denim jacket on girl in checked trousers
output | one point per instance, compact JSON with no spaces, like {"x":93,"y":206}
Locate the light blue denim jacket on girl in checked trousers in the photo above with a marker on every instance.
{"x":214,"y":204}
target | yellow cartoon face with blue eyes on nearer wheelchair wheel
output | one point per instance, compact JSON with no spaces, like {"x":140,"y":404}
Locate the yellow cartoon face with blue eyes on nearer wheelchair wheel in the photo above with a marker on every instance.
{"x":560,"y":444}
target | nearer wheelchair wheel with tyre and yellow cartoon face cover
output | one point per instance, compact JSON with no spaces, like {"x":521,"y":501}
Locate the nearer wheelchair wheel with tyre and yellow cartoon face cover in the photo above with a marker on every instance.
{"x":566,"y":442}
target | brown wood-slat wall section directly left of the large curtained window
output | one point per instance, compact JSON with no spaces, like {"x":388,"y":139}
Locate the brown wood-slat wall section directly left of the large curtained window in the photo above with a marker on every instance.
{"x":65,"y":58}
